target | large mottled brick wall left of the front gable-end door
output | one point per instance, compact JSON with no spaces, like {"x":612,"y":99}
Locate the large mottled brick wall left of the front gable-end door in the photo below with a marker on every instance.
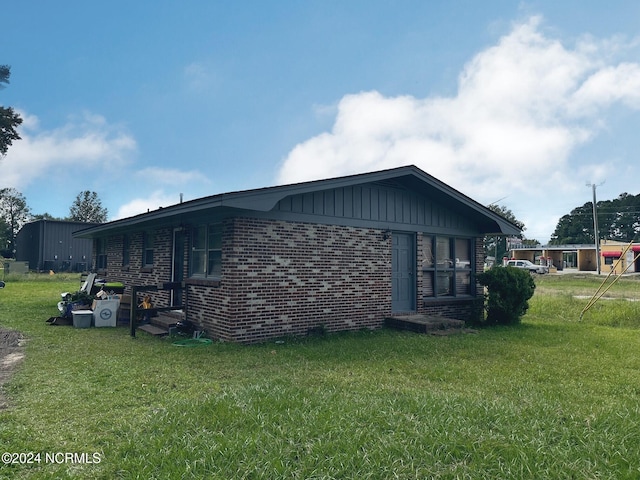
{"x":284,"y":278}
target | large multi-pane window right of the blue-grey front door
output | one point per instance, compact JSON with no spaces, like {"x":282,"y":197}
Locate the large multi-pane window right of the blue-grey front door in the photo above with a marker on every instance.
{"x":447,"y":266}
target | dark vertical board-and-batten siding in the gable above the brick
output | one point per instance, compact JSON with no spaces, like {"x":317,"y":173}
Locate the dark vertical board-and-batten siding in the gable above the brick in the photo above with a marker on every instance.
{"x":376,"y":203}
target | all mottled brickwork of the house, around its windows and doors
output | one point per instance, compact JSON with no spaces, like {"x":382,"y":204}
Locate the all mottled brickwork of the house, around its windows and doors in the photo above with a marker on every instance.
{"x":284,"y":278}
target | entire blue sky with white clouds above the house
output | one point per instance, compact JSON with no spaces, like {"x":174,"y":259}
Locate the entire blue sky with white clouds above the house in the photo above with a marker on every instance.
{"x":519,"y":103}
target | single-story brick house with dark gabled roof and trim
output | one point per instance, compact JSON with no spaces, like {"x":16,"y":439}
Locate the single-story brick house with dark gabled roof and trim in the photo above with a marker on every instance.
{"x":336,"y":254}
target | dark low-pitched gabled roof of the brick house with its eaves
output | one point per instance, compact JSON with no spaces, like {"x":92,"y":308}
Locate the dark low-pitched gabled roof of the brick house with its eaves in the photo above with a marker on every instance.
{"x":265,"y":199}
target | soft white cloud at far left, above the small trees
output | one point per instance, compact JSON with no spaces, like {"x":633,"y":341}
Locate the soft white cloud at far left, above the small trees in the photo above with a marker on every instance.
{"x":83,"y":143}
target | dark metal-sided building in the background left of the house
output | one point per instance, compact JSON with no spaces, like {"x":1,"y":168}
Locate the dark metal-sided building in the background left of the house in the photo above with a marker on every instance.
{"x":49,"y":245}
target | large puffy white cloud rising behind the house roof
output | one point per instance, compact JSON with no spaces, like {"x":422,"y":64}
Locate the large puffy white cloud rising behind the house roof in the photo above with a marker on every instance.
{"x":522,"y":108}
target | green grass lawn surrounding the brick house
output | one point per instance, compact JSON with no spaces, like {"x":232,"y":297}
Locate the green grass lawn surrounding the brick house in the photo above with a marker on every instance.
{"x":554,"y":397}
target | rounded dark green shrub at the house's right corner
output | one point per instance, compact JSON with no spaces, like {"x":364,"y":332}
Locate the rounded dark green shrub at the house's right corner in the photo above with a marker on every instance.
{"x":509,"y":290}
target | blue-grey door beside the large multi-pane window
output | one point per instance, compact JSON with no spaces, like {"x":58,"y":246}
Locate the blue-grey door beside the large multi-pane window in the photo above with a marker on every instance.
{"x":403,"y":273}
